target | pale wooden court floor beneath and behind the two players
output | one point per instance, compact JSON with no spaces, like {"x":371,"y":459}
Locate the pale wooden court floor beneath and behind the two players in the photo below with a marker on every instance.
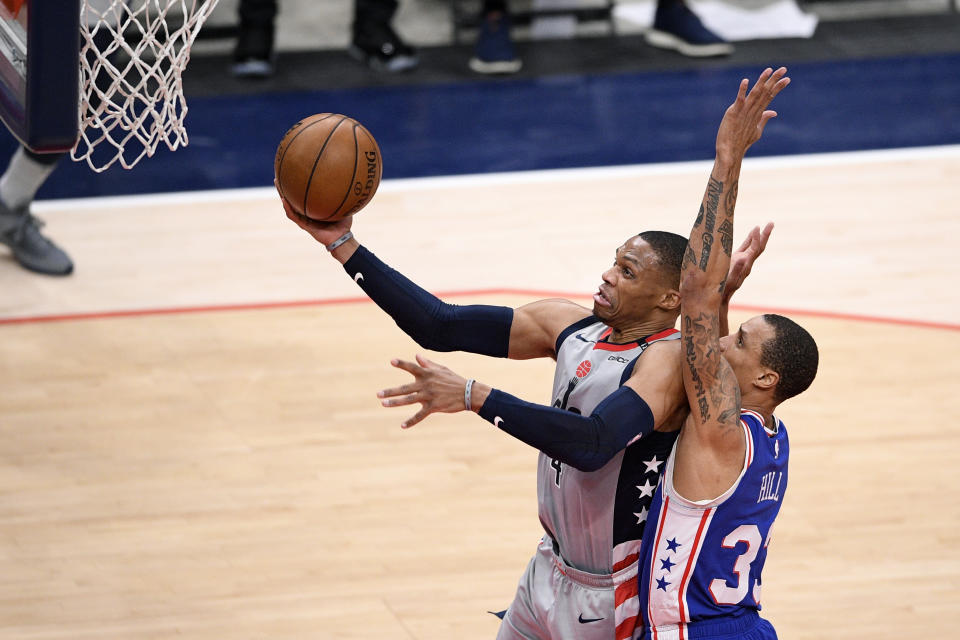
{"x":190,"y":445}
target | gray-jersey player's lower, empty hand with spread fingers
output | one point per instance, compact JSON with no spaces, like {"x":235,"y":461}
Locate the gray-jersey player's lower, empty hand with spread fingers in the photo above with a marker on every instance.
{"x":435,"y":387}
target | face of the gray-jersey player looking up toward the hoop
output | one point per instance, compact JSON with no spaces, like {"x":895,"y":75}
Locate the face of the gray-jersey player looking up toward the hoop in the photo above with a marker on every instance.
{"x":631,"y":287}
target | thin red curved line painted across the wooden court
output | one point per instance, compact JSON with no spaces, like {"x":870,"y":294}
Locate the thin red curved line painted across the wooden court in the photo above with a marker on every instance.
{"x":257,"y":306}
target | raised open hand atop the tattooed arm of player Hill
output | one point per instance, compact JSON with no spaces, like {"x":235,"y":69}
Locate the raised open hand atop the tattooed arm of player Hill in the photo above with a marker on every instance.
{"x":744,"y":120}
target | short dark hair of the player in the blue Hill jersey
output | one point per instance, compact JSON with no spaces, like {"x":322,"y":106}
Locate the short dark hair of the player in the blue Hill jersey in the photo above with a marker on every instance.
{"x":792,"y":353}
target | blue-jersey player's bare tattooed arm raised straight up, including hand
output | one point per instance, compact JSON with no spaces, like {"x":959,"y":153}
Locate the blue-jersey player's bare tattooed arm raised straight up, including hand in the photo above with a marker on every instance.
{"x":710,"y":453}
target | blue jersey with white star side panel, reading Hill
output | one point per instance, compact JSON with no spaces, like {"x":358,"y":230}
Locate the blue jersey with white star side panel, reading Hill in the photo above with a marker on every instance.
{"x":702,"y":560}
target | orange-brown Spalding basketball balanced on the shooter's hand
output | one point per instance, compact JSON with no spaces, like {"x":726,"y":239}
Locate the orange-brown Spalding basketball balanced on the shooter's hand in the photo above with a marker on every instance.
{"x":328,"y":166}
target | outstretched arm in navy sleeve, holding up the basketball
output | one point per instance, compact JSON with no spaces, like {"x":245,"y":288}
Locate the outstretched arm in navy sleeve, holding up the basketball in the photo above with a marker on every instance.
{"x":527,"y":332}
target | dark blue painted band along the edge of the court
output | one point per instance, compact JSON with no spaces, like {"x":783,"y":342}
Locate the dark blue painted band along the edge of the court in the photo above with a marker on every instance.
{"x":551,"y":122}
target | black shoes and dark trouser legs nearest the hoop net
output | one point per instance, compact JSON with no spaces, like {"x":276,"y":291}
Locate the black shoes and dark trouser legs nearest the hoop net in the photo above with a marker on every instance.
{"x":374,"y":42}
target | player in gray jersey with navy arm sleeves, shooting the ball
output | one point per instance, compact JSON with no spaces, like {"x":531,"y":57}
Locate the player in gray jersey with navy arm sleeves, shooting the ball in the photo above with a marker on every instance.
{"x":593,"y":491}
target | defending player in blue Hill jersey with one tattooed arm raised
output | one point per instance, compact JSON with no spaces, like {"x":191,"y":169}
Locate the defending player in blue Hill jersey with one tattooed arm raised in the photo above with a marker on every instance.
{"x":711,"y":519}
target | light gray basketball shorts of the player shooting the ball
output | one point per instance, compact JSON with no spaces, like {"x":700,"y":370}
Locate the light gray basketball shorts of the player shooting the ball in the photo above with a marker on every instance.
{"x":556,"y":601}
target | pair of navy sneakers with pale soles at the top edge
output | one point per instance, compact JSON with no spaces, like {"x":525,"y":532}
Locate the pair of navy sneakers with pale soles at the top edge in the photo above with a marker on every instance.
{"x":675,"y":27}
